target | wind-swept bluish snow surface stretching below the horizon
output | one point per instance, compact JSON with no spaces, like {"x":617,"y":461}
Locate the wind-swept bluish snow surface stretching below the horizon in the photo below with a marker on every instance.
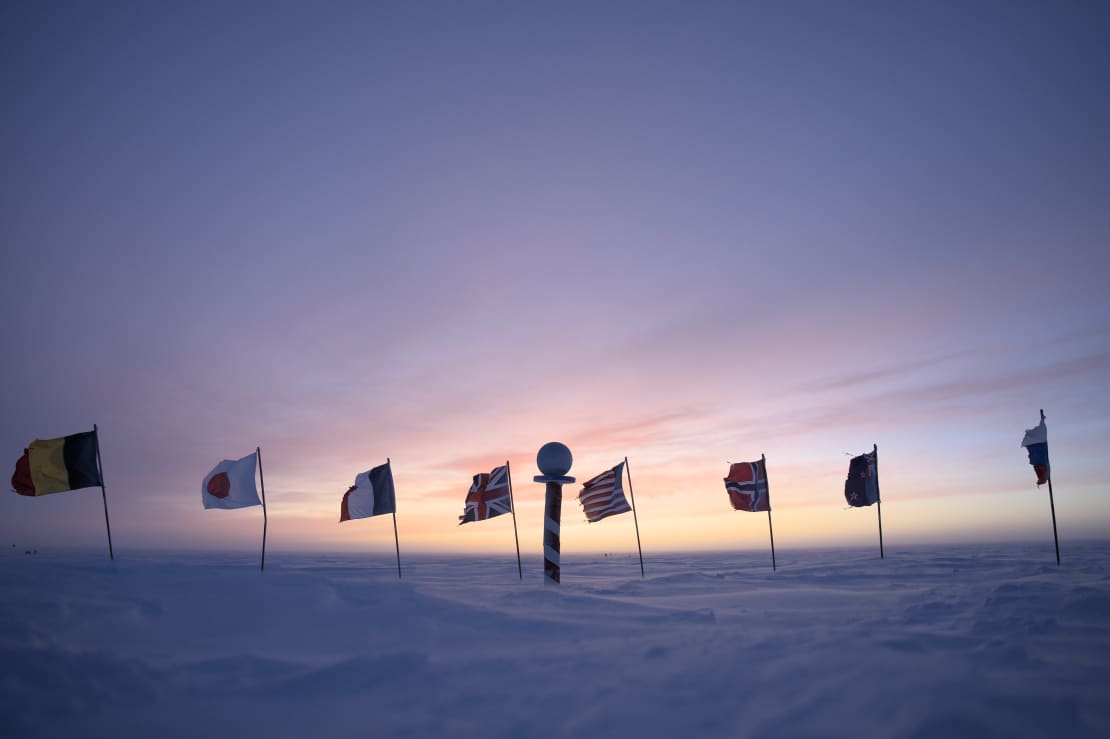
{"x":955,"y":642}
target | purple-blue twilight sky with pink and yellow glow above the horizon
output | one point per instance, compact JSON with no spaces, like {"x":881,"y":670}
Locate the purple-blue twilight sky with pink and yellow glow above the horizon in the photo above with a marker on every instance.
{"x":445,"y":234}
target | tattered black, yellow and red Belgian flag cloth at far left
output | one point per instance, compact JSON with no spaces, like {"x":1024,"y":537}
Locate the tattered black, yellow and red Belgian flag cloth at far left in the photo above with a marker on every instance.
{"x":56,"y":465}
